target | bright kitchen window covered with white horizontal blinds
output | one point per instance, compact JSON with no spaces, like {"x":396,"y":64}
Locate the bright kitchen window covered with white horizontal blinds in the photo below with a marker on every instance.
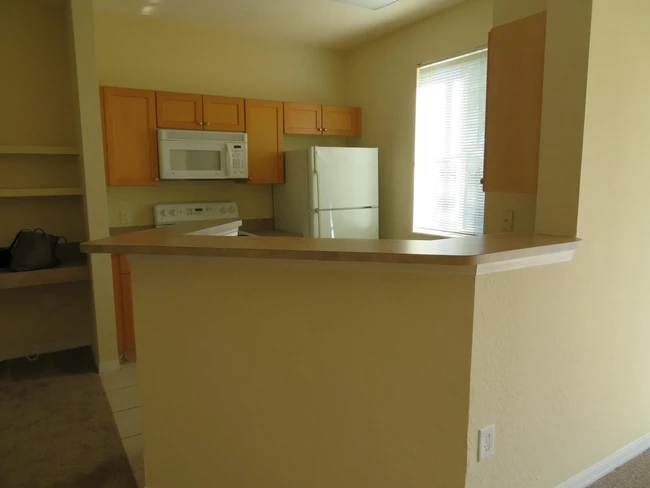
{"x":449,"y":141}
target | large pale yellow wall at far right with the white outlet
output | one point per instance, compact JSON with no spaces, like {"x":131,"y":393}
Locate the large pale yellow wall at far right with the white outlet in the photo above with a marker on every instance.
{"x":560,"y":357}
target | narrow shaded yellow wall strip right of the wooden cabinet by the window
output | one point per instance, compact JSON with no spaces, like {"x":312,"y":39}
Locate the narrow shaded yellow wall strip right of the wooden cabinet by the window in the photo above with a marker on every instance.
{"x":563,"y":119}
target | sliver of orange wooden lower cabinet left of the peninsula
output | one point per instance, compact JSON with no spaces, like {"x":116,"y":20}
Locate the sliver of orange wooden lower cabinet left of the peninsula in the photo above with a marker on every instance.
{"x":123,"y":307}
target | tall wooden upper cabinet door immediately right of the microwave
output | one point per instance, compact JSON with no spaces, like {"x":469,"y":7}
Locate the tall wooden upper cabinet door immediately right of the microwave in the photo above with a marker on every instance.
{"x":264,"y":129}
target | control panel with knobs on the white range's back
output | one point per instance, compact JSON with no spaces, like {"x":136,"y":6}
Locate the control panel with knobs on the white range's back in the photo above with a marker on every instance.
{"x":178,"y":213}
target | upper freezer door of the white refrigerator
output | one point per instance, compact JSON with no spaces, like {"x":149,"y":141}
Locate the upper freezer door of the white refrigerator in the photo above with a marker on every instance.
{"x":344,"y":177}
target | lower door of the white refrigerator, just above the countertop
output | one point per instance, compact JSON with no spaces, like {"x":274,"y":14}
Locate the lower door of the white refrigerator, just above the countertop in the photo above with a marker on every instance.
{"x":360,"y":223}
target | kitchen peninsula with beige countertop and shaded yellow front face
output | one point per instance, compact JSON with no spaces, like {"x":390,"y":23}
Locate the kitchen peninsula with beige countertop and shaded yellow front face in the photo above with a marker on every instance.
{"x":290,"y":362}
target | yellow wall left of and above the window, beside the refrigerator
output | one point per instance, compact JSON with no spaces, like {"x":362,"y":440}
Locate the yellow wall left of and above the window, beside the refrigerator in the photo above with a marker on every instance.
{"x":382,"y":79}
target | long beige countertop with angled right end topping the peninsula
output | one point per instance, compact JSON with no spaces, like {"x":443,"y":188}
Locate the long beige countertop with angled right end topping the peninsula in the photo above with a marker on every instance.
{"x":496,"y":252}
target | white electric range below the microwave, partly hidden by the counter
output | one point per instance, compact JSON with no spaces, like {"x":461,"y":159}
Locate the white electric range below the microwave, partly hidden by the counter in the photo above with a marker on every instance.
{"x":165,"y":214}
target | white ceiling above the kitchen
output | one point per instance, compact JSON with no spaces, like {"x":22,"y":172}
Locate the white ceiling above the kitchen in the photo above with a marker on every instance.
{"x":323,"y":23}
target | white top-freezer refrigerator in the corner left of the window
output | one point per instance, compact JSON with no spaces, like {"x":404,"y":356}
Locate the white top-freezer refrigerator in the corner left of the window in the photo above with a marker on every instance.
{"x":329,"y":192}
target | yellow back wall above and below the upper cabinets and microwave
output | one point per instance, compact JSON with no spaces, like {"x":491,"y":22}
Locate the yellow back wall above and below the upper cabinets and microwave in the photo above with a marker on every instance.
{"x":150,"y":53}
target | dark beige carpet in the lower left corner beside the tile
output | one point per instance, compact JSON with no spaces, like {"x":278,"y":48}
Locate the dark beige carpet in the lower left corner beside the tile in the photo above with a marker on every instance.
{"x":56,"y":426}
